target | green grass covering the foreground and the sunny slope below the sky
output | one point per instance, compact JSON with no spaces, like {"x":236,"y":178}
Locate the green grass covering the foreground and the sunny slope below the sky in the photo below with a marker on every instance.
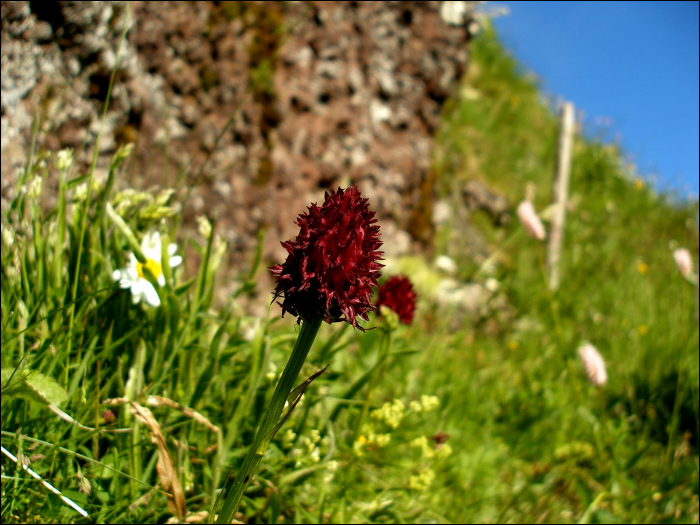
{"x":531,"y":439}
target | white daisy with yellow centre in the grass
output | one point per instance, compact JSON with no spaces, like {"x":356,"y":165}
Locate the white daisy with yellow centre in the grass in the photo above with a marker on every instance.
{"x":133,"y":277}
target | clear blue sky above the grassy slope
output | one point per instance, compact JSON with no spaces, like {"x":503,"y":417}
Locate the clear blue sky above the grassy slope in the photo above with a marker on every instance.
{"x":634,"y":62}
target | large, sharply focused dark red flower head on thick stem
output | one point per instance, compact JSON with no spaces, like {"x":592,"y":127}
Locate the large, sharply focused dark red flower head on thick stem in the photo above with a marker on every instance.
{"x":332,"y":265}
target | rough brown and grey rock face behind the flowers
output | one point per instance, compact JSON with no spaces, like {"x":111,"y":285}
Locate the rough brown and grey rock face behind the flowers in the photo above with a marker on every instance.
{"x":318,"y":94}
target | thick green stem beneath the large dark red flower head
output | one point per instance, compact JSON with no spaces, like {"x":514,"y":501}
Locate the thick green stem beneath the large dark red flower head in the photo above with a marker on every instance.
{"x":309,"y":329}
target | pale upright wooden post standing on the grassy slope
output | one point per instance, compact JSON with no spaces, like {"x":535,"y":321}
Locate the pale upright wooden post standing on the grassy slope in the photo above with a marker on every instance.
{"x":560,"y":194}
